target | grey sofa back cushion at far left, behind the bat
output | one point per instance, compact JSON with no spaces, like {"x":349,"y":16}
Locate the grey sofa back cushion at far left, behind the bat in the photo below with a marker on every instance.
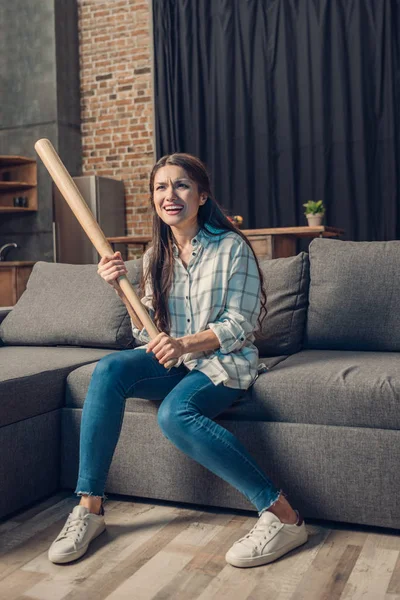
{"x":70,"y":305}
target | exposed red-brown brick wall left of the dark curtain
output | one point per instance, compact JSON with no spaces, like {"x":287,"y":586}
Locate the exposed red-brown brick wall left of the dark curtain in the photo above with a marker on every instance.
{"x":117,"y":100}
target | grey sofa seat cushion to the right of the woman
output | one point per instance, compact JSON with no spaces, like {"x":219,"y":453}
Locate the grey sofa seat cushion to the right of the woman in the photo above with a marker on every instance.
{"x":328,"y":387}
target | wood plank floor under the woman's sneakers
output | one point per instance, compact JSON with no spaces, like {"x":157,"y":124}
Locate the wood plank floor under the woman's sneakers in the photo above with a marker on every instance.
{"x":168,"y":551}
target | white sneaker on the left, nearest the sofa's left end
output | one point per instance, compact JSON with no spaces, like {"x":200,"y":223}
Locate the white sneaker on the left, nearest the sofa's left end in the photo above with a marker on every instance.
{"x":80,"y":529}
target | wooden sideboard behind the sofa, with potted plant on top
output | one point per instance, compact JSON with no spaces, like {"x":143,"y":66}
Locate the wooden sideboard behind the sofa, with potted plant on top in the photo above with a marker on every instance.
{"x":278,"y":242}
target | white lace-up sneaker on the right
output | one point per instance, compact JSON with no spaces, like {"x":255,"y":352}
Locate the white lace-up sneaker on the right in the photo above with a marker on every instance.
{"x":268,"y":540}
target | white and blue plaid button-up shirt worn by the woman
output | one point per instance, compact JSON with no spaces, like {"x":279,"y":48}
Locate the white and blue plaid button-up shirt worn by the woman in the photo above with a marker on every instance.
{"x":219,"y":290}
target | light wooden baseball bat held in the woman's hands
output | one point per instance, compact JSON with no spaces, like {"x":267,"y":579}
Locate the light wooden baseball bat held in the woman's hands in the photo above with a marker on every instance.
{"x":82,"y":212}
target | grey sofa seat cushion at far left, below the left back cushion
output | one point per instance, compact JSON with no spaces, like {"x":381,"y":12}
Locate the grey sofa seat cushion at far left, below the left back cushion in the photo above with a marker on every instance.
{"x":32,"y":379}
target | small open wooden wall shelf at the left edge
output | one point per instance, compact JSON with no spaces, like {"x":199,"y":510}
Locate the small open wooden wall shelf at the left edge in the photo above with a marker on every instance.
{"x":18,"y":177}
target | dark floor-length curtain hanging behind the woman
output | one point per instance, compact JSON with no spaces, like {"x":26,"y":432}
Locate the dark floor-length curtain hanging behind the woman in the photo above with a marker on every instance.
{"x":286,"y":101}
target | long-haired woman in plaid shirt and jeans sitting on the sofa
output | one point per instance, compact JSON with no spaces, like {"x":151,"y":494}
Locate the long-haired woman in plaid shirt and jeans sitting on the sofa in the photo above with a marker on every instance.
{"x":202,"y":285}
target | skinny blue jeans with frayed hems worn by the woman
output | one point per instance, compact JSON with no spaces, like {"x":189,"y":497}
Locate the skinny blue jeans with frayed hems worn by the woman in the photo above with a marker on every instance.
{"x":190,"y":400}
